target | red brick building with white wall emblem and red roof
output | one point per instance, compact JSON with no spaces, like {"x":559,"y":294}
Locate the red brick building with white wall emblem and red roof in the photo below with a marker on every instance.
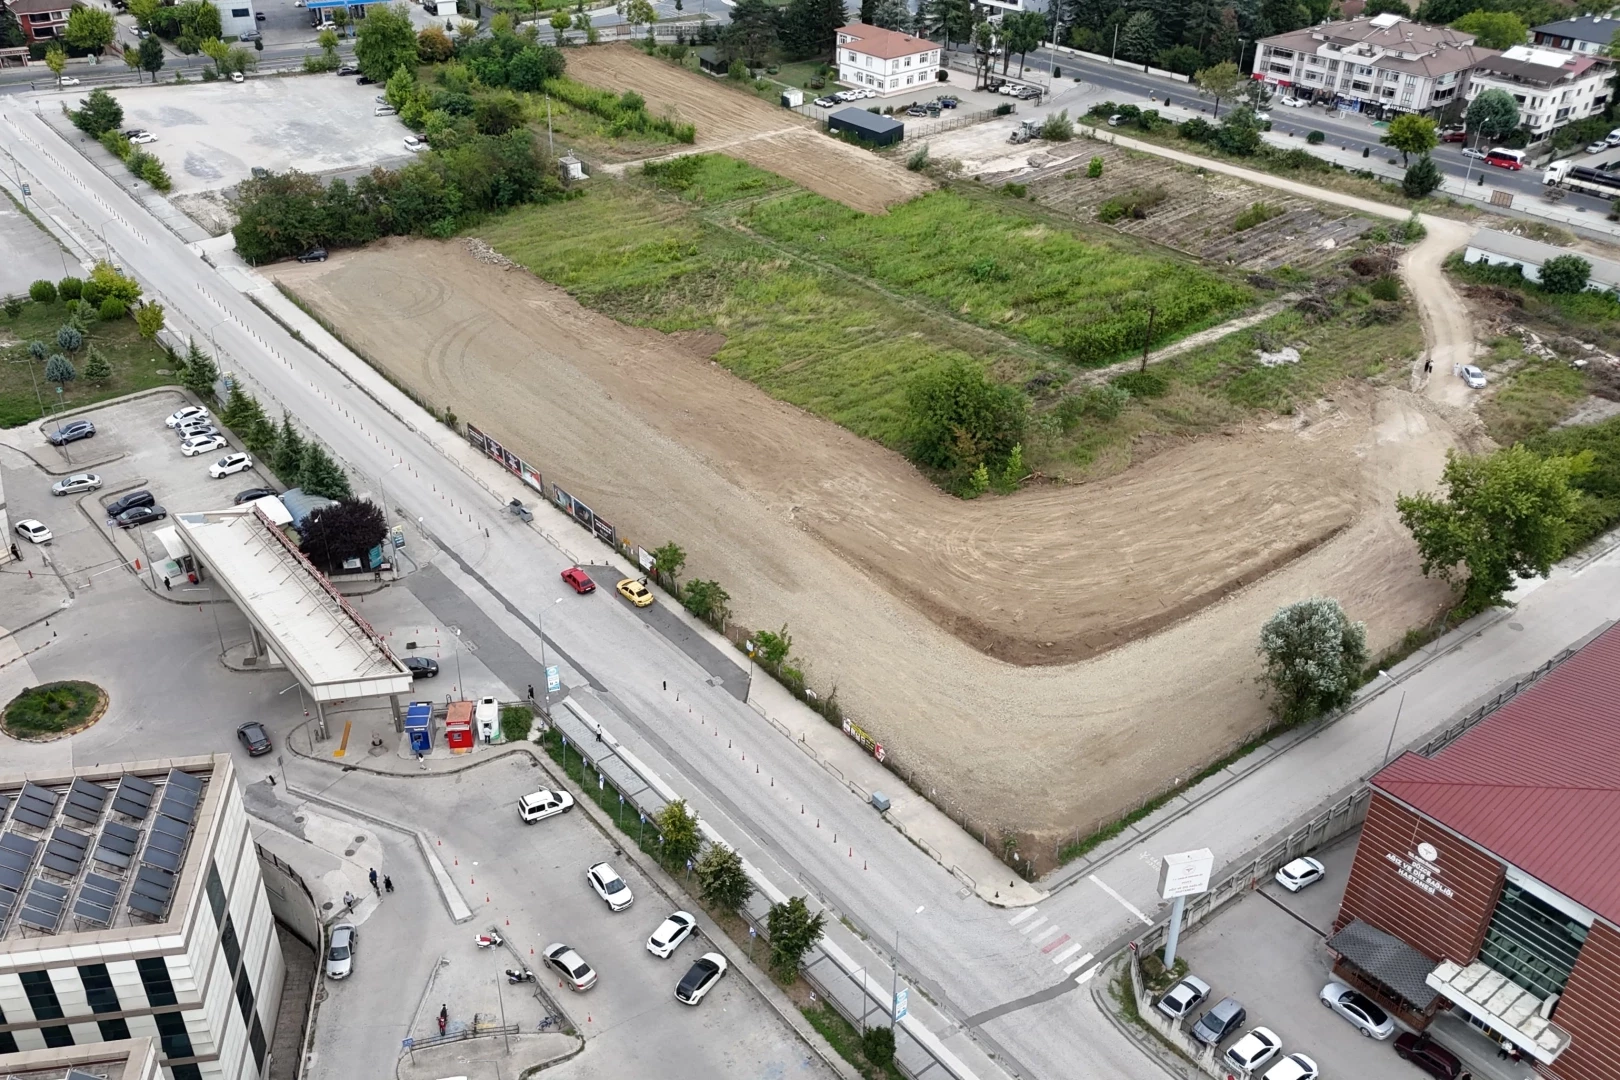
{"x":1488,"y":878}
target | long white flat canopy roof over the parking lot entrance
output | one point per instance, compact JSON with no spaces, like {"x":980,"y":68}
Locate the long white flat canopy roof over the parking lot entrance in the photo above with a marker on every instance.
{"x":333,"y":652}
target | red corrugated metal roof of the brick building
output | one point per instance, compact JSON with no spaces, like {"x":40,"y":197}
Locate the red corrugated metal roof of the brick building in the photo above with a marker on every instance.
{"x":1538,"y":783}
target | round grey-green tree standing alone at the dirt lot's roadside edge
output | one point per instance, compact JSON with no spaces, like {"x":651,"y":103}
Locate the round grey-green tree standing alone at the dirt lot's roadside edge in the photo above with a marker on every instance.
{"x":1313,"y":658}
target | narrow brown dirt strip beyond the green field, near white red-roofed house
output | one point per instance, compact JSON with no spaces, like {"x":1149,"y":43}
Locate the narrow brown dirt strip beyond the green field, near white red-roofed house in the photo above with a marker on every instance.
{"x":749,"y":129}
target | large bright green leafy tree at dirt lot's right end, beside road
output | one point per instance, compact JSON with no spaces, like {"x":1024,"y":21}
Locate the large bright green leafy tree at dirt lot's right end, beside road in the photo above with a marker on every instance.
{"x":1506,"y":516}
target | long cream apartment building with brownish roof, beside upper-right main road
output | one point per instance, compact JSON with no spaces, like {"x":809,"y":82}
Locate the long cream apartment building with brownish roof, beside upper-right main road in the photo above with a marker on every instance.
{"x":1384,"y":66}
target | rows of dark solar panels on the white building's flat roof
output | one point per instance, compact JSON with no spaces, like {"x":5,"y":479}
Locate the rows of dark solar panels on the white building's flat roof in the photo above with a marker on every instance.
{"x":79,"y":851}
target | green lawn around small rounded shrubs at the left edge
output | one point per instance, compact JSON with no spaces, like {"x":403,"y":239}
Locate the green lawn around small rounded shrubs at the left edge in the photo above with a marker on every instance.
{"x":137,"y":365}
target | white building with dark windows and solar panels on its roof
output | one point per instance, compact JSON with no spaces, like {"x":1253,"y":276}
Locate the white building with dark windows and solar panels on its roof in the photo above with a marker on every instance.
{"x":132,"y":909}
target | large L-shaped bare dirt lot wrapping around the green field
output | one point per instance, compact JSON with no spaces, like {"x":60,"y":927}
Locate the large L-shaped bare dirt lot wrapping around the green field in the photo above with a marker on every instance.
{"x":889,"y":587}
